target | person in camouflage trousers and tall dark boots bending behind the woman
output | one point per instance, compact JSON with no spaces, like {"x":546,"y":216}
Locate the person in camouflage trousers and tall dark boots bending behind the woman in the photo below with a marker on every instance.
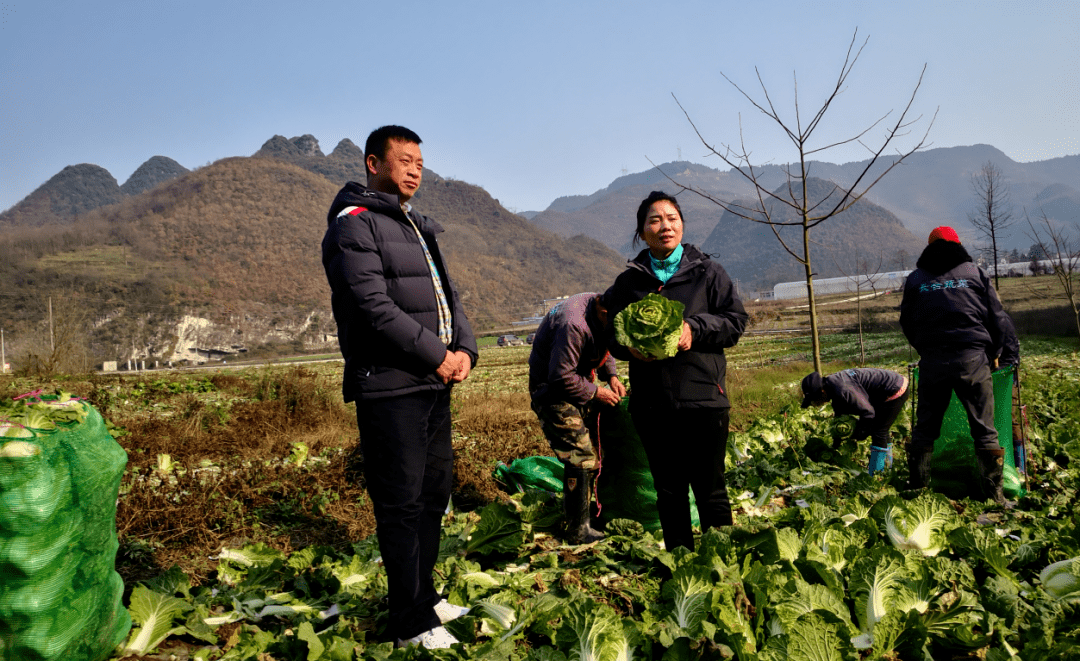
{"x":569,"y":352}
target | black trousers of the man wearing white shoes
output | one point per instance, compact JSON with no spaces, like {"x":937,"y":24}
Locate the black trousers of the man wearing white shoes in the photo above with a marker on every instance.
{"x":409,"y":466}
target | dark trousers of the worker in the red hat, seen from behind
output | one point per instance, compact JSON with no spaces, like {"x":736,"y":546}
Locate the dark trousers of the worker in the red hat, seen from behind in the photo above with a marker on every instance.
{"x":969,"y":376}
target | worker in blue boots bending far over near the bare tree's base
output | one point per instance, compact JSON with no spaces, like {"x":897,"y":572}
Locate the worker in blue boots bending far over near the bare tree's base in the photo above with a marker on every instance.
{"x":875,"y":396}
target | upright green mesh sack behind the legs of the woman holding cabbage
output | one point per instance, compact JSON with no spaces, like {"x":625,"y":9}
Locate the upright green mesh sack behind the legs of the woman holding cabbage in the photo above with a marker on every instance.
{"x":626,"y":483}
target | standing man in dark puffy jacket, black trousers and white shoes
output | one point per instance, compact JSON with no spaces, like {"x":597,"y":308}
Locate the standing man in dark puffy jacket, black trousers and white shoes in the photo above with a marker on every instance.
{"x":406,"y":341}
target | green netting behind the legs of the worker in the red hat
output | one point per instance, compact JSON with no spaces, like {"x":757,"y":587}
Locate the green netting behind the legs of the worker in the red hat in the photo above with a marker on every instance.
{"x":954,"y":464}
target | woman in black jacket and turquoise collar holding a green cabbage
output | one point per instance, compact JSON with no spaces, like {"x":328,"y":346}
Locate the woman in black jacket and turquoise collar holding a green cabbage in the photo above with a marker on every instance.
{"x":673,"y":313}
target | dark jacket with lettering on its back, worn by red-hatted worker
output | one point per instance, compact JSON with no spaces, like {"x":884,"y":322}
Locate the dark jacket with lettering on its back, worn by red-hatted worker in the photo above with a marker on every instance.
{"x":951,"y":309}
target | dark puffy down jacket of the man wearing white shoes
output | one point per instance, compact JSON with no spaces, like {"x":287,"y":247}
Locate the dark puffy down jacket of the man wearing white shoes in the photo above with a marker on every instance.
{"x":384,"y":300}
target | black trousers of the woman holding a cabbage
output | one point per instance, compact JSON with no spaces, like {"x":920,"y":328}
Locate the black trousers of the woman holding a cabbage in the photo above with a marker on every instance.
{"x":687,"y":449}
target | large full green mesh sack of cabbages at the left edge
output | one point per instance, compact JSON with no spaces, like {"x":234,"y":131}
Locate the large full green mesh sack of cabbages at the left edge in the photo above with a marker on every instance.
{"x":60,"y":477}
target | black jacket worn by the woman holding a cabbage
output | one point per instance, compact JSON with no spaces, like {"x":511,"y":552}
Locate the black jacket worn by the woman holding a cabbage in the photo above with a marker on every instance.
{"x":695,"y":379}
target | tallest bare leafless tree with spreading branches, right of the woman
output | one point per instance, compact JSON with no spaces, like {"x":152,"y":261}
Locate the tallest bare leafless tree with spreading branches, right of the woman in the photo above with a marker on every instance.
{"x":769,"y":205}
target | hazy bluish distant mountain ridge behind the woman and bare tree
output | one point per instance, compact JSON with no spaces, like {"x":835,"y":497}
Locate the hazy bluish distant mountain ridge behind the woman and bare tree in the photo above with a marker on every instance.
{"x":933,"y":188}
